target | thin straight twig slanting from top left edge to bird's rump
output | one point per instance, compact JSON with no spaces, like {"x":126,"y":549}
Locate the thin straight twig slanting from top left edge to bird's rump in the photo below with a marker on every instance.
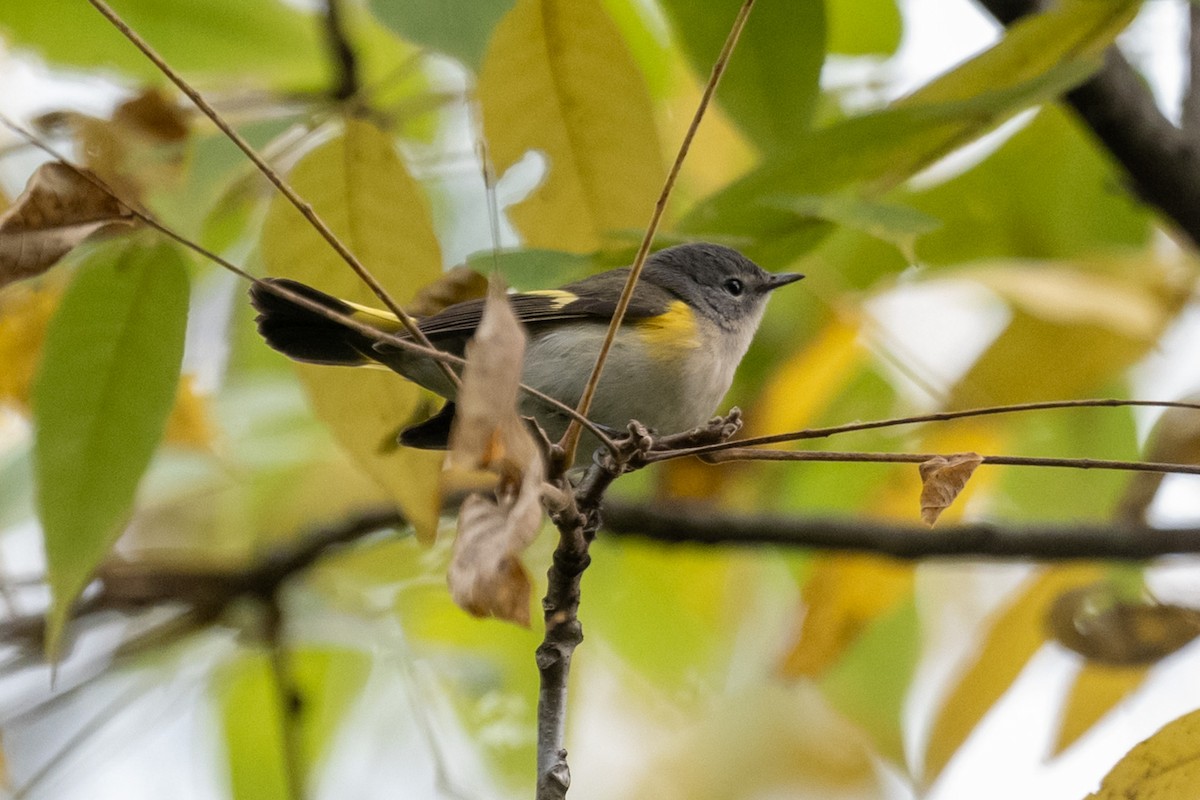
{"x":301,"y":204}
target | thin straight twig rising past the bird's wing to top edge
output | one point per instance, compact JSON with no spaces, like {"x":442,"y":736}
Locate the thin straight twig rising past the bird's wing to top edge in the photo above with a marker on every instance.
{"x":571,"y":440}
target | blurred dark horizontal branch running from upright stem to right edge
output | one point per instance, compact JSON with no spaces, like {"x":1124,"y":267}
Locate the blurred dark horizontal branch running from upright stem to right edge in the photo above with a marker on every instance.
{"x":701,"y":525}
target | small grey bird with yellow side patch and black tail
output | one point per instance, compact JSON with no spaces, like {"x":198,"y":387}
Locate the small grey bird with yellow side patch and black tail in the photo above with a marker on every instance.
{"x":689,"y":323}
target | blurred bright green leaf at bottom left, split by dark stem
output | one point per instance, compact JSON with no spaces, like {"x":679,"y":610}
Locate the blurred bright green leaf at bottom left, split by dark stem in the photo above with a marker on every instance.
{"x":327,"y":681}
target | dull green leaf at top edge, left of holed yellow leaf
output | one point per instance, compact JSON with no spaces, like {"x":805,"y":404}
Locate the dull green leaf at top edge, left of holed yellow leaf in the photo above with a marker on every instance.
{"x":458,"y":28}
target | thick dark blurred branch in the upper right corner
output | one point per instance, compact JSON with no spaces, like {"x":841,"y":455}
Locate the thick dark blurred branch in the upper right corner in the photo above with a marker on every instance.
{"x":1162,"y":161}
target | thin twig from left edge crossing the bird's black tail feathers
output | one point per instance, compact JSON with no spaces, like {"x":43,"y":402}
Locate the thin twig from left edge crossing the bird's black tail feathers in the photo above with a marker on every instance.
{"x":301,"y":300}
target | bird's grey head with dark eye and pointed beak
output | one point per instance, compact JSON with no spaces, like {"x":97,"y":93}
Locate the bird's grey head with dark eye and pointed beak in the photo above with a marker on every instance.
{"x":718,"y":282}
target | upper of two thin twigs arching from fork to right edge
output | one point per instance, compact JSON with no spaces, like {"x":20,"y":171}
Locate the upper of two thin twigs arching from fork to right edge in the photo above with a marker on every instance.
{"x":937,"y":417}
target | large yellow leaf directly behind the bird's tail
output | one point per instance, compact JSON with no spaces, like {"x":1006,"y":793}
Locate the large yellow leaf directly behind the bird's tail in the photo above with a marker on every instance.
{"x":361,"y":189}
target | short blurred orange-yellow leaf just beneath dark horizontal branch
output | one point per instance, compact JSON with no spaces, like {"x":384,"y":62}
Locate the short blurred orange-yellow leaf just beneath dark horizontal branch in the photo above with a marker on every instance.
{"x":842,"y":598}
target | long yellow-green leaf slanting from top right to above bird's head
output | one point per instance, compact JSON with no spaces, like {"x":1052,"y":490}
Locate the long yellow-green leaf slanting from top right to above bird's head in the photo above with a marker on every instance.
{"x":1037,"y":61}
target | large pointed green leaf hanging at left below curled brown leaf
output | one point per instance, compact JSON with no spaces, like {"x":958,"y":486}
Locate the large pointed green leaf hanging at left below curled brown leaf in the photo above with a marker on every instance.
{"x":101,"y":401}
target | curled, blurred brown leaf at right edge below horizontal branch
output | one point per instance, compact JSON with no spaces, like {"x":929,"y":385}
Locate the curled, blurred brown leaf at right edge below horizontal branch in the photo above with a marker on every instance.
{"x":1102,"y":627}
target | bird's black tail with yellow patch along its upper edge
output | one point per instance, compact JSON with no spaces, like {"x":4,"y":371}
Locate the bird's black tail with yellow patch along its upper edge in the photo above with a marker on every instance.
{"x":302,"y":334}
